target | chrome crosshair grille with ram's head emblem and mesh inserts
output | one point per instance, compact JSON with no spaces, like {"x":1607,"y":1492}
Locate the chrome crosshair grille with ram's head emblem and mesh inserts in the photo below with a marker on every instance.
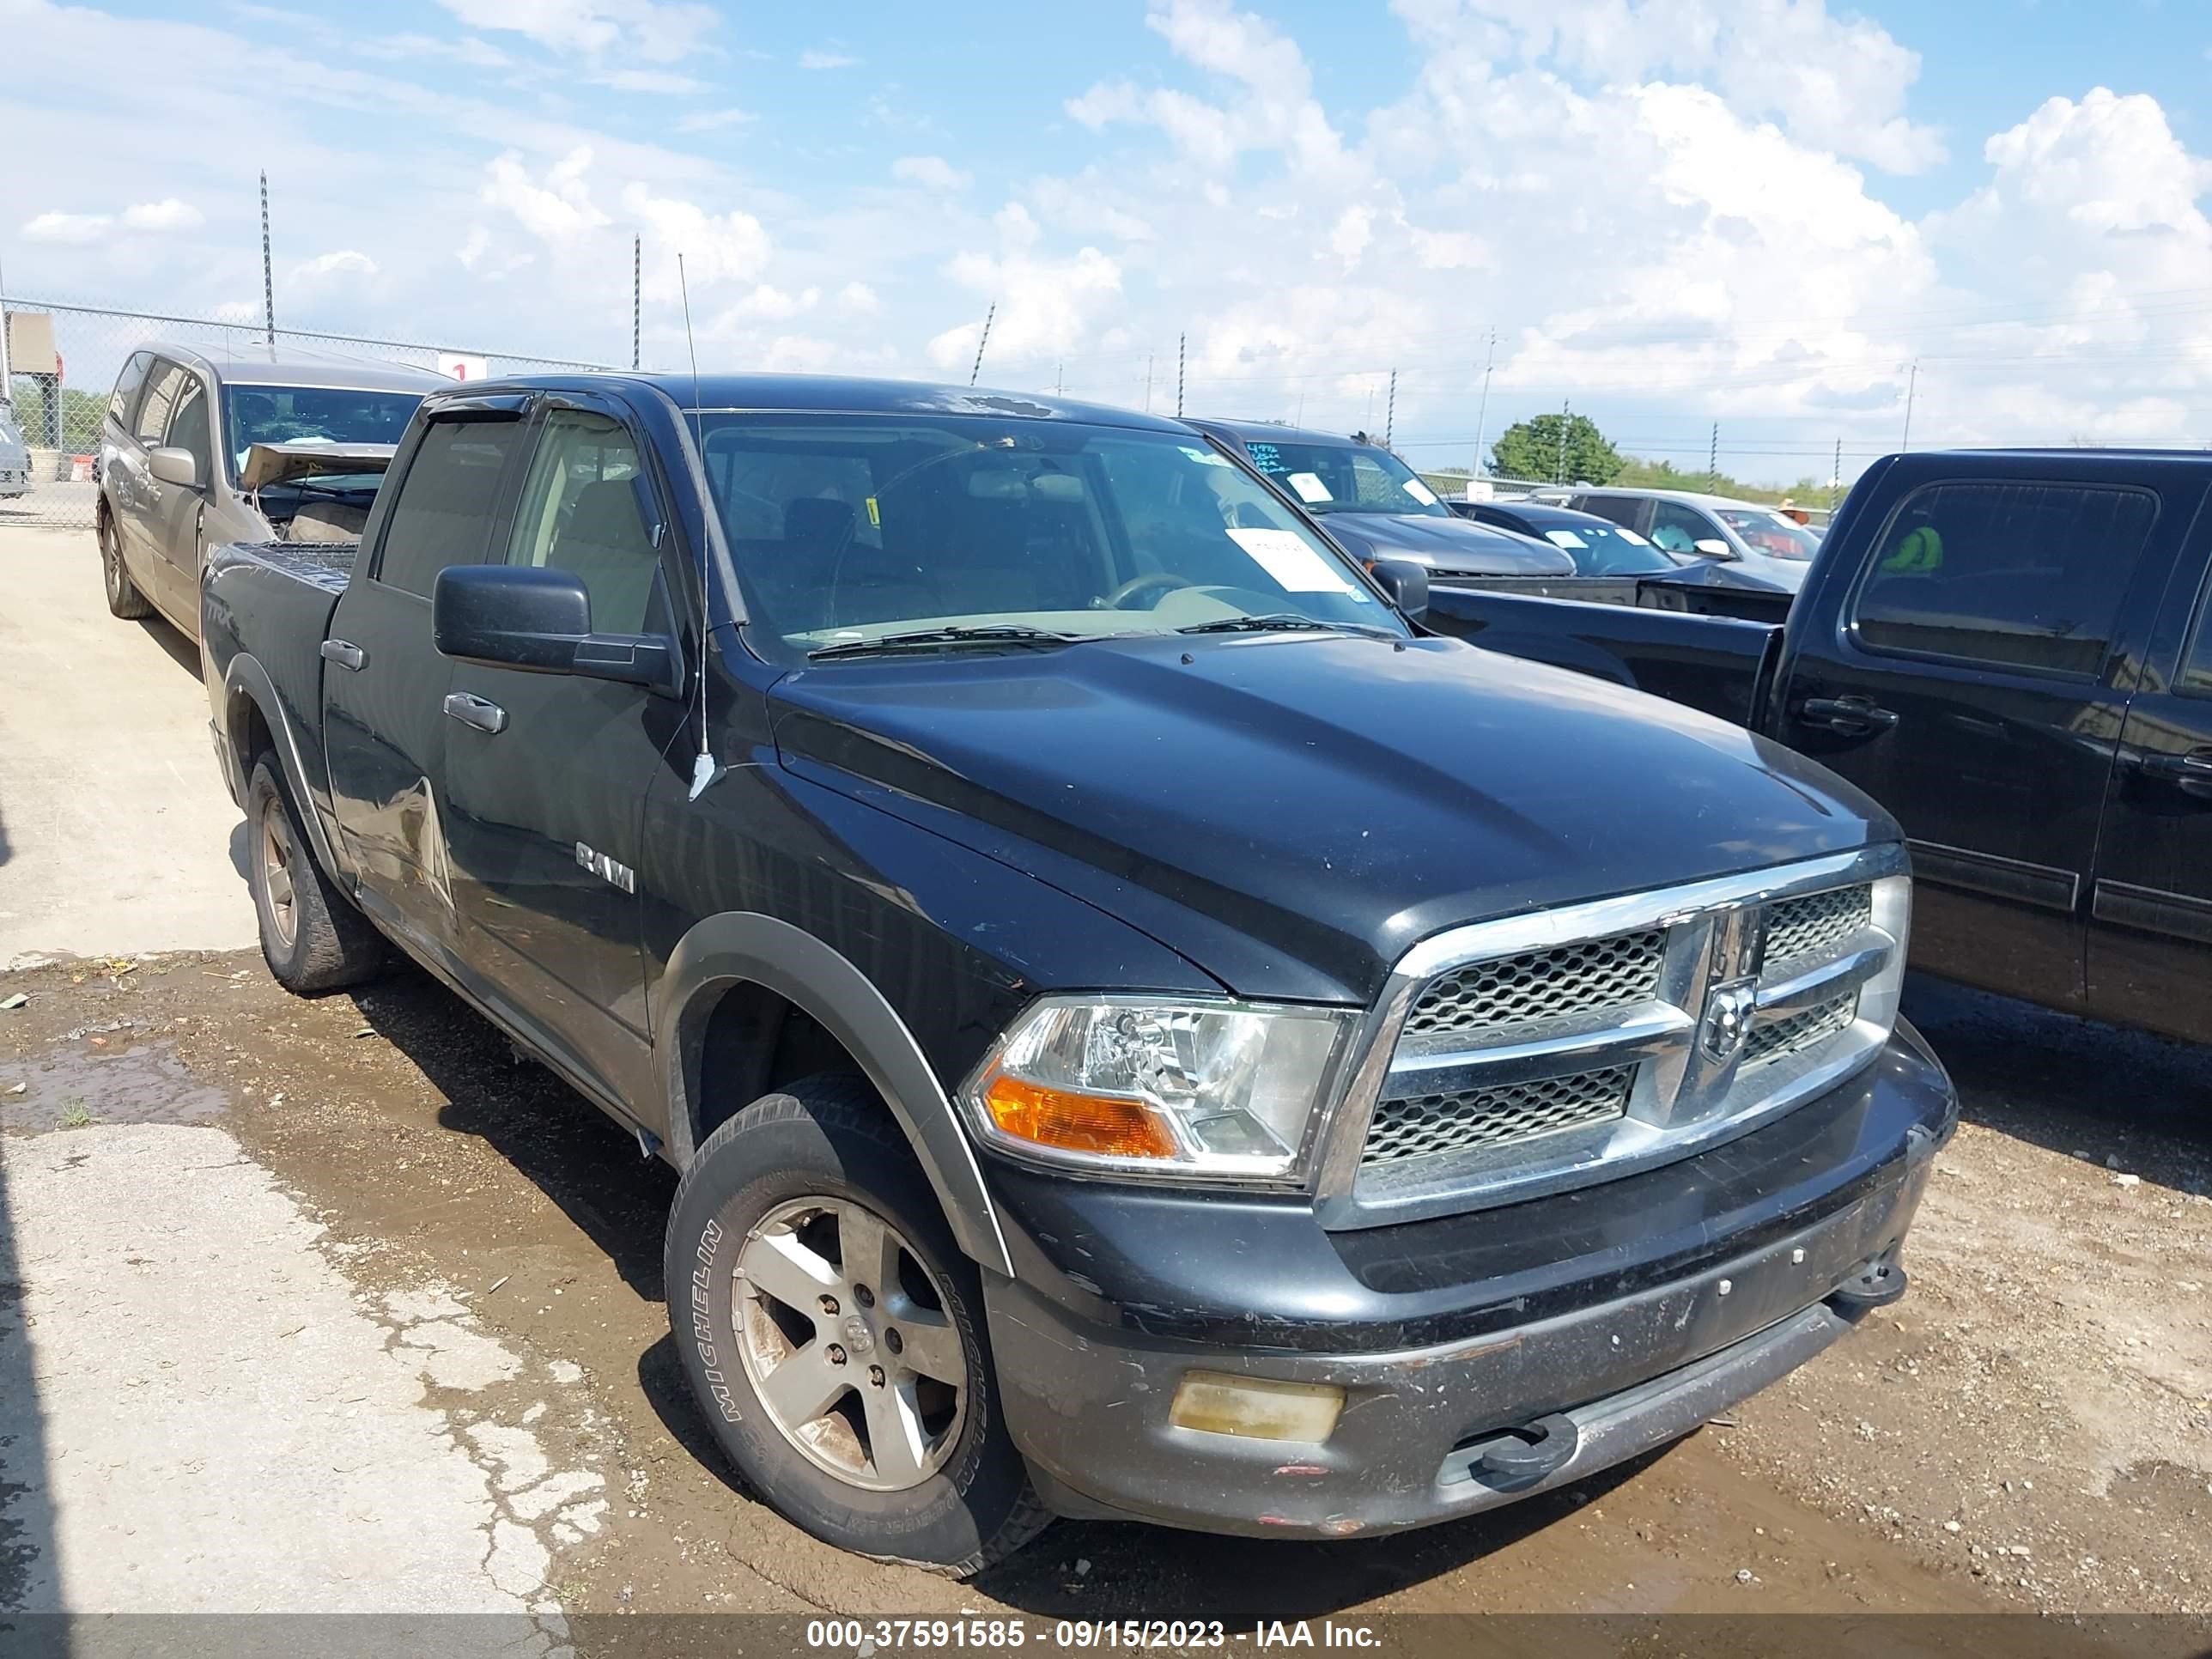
{"x":1574,"y":1045}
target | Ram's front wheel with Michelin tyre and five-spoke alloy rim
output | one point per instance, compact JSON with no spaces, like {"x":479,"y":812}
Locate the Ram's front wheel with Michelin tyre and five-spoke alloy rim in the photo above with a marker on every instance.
{"x":835,"y":1337}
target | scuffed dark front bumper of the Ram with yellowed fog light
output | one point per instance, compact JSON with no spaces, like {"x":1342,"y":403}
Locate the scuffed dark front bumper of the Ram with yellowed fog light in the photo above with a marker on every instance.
{"x":1618,"y":1344}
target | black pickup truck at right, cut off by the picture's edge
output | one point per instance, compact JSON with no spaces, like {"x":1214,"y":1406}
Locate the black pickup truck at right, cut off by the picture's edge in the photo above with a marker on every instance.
{"x":2010,"y":651}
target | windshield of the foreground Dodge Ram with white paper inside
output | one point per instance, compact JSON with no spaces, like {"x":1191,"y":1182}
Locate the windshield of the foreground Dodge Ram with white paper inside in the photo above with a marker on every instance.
{"x":848,"y":530}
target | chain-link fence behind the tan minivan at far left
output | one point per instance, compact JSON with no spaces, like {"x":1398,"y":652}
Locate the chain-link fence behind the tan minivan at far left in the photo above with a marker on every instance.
{"x":65,"y":359}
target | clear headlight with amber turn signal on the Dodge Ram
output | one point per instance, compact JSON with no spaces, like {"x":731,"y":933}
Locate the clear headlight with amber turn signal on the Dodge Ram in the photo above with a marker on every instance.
{"x":1162,"y":1089}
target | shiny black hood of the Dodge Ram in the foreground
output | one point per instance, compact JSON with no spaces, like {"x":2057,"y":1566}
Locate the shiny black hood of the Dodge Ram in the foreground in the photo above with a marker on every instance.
{"x":1295,"y":811}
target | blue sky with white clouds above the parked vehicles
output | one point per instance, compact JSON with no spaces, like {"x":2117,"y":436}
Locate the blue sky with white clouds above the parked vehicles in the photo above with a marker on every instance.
{"x":1676,"y":213}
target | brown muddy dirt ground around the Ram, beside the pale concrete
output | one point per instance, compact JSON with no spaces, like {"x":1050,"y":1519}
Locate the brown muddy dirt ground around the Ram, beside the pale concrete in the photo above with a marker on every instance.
{"x":2030,"y":1430}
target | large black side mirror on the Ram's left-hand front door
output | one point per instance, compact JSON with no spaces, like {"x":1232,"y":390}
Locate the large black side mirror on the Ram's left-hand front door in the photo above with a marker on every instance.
{"x":517,"y":616}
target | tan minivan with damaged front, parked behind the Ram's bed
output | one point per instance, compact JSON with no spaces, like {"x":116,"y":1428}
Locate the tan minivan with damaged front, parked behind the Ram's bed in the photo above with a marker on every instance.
{"x":207,"y":446}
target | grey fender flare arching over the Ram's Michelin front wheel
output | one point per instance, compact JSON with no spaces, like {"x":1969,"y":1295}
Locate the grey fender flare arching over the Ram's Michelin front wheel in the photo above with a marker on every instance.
{"x":749,"y":948}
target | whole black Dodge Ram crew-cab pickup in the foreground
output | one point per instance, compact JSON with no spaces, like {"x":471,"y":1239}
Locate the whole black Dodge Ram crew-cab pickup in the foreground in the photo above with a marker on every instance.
{"x":1145,"y":1030}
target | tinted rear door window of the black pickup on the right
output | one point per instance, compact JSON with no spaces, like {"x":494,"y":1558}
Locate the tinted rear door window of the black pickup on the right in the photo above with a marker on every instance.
{"x":2010,"y":574}
